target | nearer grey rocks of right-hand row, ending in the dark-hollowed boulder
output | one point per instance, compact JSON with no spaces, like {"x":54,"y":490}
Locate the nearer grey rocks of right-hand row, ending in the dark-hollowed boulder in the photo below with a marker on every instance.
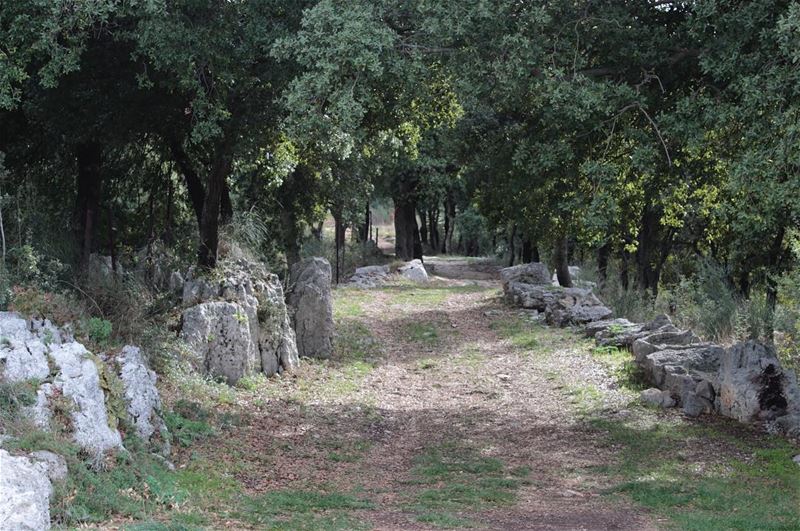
{"x":745,"y":381}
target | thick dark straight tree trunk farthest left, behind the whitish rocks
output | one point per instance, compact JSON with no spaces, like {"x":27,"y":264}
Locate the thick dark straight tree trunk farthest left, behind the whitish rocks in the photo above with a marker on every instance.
{"x":89,"y":156}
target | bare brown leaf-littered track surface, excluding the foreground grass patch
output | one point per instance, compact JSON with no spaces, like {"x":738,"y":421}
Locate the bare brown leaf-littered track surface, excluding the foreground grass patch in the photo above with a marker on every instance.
{"x":466,"y":386}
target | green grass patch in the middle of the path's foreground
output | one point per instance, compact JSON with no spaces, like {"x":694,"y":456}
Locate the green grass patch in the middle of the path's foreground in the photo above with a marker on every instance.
{"x":456,"y":480}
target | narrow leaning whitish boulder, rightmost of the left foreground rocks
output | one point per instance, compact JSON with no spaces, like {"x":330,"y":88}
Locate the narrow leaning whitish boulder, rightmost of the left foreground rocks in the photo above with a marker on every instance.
{"x":142,"y":401}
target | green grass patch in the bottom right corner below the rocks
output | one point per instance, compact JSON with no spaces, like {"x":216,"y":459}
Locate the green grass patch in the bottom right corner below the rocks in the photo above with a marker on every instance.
{"x":761,"y":491}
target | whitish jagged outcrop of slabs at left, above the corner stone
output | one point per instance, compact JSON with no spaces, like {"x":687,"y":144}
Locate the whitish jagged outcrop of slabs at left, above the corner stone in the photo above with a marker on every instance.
{"x":79,"y":390}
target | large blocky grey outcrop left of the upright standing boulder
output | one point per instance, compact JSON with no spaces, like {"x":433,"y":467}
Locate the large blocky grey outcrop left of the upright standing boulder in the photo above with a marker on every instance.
{"x":237,"y":323}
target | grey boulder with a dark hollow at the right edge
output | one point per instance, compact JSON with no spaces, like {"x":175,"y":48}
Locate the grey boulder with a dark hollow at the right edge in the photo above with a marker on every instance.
{"x":753,"y":385}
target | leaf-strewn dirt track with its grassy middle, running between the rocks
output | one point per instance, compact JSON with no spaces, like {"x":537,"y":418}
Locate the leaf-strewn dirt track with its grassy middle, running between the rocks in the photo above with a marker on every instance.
{"x":426,"y":379}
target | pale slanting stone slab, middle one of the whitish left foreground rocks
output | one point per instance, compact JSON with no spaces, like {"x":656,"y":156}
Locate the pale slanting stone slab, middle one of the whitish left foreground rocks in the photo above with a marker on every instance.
{"x":79,"y":381}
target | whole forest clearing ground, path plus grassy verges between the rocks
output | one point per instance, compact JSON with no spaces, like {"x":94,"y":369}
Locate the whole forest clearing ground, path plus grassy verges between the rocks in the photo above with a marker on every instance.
{"x":445,"y":408}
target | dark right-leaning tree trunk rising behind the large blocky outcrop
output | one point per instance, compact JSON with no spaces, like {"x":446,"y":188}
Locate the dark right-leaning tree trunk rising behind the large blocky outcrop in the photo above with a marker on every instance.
{"x":209,"y":225}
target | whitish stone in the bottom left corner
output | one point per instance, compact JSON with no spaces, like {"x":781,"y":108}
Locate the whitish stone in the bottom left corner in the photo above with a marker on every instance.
{"x":26,"y":491}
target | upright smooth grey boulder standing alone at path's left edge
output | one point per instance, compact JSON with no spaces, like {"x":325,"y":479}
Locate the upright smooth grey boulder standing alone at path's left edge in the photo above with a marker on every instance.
{"x":312,"y":307}
